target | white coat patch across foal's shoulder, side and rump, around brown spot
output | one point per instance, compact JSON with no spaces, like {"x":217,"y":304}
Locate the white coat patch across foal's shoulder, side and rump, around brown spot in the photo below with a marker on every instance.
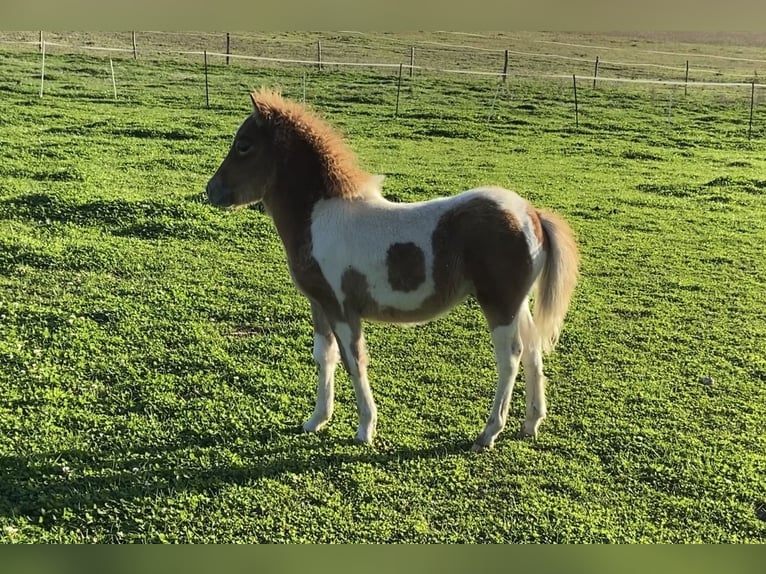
{"x":357,"y":234}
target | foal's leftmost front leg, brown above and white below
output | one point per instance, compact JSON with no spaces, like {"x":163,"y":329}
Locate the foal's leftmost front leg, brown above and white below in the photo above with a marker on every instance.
{"x":327,"y":357}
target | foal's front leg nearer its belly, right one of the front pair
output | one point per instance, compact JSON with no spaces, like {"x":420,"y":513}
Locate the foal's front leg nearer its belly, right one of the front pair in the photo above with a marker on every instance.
{"x":354,"y":355}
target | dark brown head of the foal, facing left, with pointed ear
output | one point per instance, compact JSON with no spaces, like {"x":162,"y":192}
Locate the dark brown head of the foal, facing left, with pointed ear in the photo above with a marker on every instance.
{"x":248,"y":171}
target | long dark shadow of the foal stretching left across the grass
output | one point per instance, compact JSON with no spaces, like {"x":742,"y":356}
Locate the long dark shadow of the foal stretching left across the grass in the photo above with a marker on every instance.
{"x":42,"y":486}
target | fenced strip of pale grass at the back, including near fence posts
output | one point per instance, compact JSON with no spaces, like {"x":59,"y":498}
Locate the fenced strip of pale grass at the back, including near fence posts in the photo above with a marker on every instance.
{"x":417,"y":56}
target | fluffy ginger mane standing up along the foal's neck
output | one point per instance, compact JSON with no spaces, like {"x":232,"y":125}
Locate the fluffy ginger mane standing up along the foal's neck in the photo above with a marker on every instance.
{"x":290,"y":120}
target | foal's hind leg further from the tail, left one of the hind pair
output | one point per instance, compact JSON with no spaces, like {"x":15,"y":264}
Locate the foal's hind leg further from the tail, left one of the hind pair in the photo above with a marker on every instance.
{"x":508,"y":349}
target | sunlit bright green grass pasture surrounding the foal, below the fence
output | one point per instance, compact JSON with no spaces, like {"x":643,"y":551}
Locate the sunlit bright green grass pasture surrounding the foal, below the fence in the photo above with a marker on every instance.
{"x":155,"y":361}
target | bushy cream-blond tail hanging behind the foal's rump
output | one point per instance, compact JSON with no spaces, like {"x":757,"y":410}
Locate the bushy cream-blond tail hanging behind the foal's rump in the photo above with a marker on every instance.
{"x":557,"y":280}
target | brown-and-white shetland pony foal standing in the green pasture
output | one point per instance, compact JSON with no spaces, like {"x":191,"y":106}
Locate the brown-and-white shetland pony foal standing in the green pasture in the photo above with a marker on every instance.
{"x":357,"y":256}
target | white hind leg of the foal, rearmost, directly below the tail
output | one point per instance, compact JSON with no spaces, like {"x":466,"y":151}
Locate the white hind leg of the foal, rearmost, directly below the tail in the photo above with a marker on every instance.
{"x":532,"y":359}
